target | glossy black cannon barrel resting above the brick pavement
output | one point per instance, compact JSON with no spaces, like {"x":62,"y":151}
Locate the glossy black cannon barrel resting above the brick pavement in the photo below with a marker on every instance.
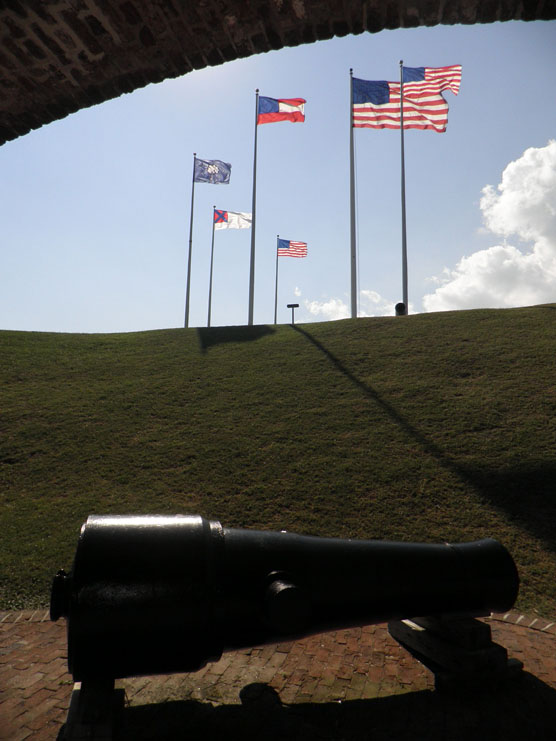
{"x":163,"y":594}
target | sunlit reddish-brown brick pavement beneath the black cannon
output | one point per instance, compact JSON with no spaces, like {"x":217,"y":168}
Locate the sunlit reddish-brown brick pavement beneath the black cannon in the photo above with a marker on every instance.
{"x":351,"y":684}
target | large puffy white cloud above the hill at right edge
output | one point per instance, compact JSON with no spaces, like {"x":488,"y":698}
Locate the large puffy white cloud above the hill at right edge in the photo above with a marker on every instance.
{"x":523,"y":205}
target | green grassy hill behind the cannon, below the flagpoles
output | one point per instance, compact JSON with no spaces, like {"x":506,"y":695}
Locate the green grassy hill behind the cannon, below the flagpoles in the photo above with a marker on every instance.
{"x":434,"y":427}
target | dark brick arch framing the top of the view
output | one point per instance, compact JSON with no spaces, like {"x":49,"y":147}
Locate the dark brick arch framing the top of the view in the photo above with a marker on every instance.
{"x":58,"y":56}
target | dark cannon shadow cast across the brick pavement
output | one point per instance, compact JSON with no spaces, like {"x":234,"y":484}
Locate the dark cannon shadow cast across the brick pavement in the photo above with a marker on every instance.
{"x":522,"y":708}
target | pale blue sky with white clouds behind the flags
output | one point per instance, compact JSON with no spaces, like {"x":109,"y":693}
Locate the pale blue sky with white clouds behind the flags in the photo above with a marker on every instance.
{"x":95,"y":208}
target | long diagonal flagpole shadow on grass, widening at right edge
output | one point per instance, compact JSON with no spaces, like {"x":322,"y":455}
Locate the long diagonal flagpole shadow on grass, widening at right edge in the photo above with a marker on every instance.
{"x":527,"y":494}
